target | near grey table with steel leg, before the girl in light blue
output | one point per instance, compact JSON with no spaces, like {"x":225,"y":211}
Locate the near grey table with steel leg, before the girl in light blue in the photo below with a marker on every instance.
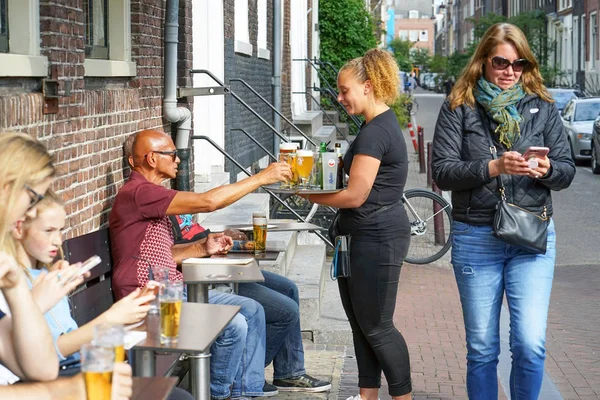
{"x":199,"y":327}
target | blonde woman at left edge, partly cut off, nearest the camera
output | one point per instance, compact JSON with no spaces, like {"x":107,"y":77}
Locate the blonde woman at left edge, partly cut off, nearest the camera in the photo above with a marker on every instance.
{"x":26,"y":347}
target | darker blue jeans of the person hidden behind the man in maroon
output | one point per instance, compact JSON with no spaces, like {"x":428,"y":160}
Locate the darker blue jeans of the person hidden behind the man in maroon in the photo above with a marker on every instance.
{"x":280,"y":300}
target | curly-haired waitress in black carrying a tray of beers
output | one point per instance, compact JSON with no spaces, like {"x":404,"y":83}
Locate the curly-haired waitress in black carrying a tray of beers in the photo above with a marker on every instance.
{"x":377,"y":163}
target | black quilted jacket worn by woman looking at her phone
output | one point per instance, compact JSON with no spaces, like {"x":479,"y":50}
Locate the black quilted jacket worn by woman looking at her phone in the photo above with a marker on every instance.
{"x":461,"y":154}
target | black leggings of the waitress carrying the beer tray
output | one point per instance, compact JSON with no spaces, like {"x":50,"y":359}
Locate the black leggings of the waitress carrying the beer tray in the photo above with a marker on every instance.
{"x":369,"y":299}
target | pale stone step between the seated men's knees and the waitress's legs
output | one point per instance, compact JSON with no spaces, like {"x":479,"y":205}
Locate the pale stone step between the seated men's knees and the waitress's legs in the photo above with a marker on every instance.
{"x":308,"y":272}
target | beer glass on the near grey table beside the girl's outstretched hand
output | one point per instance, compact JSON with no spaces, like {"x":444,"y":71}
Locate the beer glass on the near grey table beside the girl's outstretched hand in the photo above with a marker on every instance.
{"x":170,"y":298}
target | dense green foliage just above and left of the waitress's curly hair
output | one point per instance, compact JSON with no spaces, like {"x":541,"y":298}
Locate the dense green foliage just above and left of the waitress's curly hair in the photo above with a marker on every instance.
{"x":346,"y":30}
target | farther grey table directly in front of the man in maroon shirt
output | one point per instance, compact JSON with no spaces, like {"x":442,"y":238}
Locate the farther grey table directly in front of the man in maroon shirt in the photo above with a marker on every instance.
{"x":198,"y":276}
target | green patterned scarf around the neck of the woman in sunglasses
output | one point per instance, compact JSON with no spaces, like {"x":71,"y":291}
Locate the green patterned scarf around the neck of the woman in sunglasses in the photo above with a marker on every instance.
{"x":500,"y":105}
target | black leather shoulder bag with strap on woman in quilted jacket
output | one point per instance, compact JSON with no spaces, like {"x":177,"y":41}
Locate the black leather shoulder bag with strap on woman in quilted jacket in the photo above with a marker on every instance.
{"x":515,"y":225}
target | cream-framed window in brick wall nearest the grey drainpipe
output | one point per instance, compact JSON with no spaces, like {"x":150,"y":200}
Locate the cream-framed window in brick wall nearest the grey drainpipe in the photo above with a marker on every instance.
{"x":107,"y":31}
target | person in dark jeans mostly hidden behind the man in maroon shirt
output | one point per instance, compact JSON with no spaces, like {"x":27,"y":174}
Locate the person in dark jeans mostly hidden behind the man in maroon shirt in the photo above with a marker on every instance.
{"x":280,"y":299}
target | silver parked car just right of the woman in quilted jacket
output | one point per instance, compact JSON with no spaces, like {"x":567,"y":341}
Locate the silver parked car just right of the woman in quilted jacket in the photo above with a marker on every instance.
{"x":578,"y":118}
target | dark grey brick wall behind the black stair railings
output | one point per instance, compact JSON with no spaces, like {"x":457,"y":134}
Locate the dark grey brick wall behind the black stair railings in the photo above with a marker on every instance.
{"x":257,"y":72}
